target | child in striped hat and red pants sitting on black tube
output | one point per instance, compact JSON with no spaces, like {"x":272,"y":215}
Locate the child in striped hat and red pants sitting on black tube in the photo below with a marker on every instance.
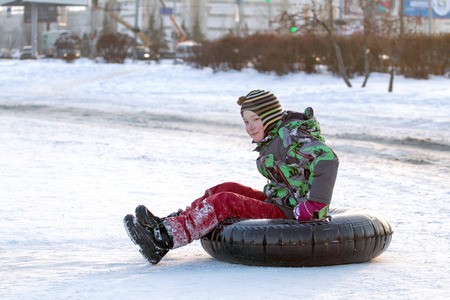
{"x":301,"y":171}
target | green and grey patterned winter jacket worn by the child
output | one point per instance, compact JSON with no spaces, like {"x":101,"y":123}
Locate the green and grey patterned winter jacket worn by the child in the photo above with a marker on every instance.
{"x":297,"y":163}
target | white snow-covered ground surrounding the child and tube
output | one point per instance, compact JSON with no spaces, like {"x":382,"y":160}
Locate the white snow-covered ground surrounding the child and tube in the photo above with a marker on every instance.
{"x":83,"y":144}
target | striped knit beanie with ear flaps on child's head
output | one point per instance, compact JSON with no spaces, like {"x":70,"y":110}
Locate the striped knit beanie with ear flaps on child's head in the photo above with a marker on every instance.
{"x":264,"y":104}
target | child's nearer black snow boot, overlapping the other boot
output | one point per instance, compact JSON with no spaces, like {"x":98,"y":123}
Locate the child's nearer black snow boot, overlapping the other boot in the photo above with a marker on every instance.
{"x":154,"y":243}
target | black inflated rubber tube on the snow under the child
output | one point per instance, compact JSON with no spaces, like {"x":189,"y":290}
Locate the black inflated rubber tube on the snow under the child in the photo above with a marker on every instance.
{"x":348,"y":236}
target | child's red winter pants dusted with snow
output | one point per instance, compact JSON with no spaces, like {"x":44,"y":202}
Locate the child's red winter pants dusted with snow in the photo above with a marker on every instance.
{"x":226,"y":200}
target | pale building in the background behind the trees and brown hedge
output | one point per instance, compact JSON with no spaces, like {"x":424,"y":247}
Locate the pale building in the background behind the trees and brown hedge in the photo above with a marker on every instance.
{"x":210,"y":19}
